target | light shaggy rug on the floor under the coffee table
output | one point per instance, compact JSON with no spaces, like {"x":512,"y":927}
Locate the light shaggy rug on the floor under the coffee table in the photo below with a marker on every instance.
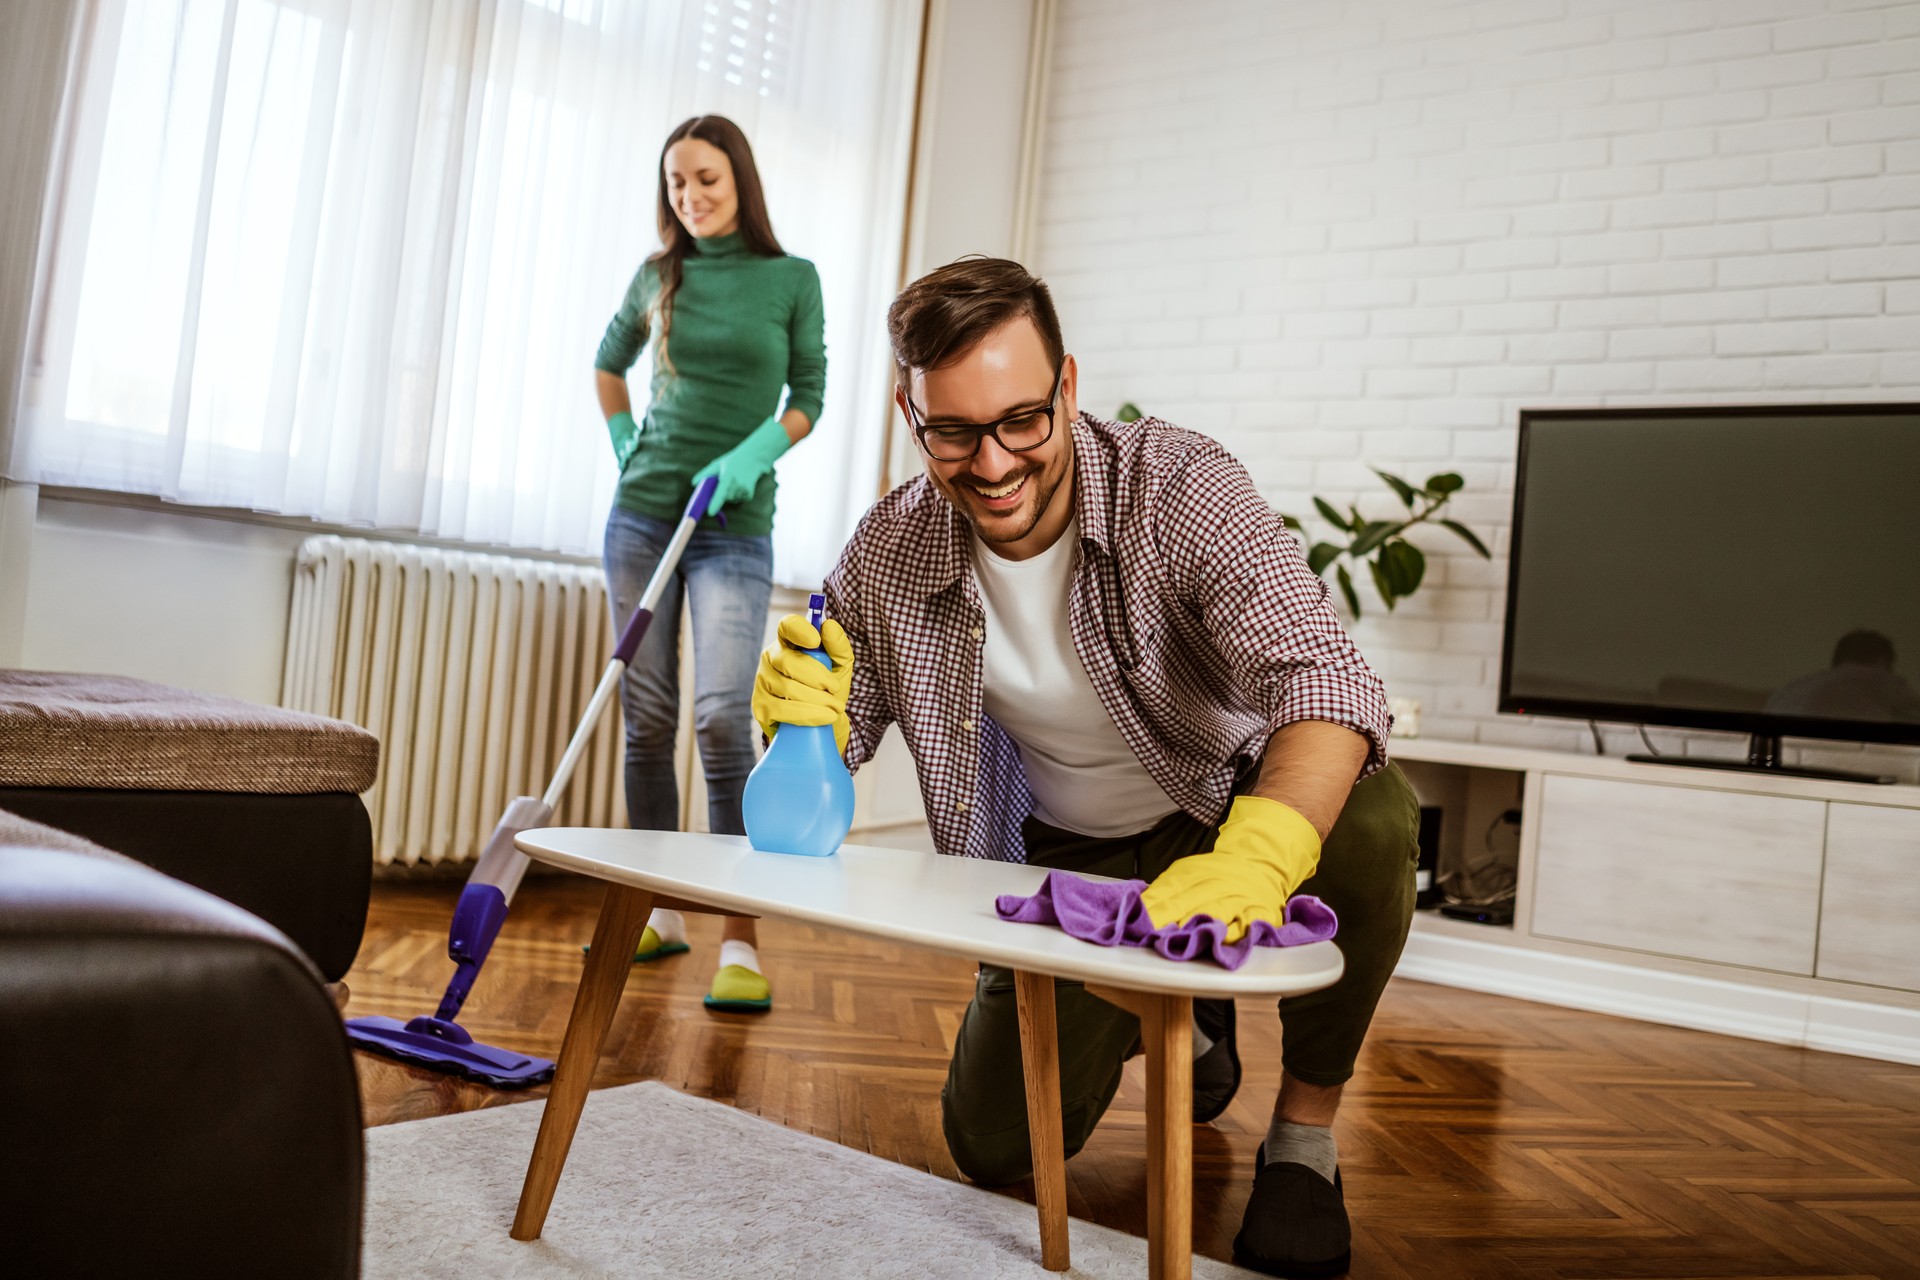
{"x":725,"y":1195}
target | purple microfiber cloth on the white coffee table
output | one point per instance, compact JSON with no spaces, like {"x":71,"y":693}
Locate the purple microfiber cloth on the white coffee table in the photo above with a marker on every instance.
{"x":1111,"y":914}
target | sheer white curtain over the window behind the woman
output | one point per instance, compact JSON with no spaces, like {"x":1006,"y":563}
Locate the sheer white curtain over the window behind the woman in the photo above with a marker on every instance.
{"x":352,"y":258}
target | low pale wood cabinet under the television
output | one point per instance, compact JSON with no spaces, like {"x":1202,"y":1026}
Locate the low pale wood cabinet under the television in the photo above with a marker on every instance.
{"x":1758,"y":905}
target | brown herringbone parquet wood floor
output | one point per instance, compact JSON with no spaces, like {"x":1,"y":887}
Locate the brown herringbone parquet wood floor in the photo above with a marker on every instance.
{"x":1481,"y":1137}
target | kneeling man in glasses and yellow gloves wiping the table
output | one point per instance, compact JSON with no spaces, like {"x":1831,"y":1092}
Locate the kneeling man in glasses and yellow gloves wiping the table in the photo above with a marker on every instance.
{"x":1107,"y":655}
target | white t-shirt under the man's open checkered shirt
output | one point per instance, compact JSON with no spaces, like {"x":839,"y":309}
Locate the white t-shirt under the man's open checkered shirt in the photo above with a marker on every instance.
{"x":1082,"y":772}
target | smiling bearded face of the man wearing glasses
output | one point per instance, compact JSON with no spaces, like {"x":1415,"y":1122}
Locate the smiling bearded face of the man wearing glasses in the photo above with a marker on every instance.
{"x":1019,"y":502}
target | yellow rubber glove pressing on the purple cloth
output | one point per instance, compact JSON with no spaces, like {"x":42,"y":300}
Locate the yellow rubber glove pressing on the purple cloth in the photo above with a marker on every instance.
{"x":1262,"y":855}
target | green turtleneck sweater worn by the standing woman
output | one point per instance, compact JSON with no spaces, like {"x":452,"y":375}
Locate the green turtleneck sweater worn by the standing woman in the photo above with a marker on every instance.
{"x":744,"y":327}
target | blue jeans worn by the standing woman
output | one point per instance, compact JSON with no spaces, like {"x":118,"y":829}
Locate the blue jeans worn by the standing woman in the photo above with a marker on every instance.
{"x":729,"y":582}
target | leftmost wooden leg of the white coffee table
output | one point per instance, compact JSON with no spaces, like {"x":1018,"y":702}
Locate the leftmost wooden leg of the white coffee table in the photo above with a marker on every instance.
{"x":623,"y":918}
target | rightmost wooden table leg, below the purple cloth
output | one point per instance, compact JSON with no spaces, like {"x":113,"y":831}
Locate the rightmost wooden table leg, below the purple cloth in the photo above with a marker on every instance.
{"x":1168,"y":1031}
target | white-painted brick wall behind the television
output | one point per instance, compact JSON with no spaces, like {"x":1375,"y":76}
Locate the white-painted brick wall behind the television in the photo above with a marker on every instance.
{"x":1368,"y":233}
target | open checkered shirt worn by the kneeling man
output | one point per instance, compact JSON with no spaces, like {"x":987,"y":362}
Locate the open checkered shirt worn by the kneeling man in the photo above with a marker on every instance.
{"x":1191,"y":609}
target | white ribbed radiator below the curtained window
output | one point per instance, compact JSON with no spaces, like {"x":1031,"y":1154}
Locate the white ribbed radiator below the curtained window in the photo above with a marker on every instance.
{"x":471,"y":669}
